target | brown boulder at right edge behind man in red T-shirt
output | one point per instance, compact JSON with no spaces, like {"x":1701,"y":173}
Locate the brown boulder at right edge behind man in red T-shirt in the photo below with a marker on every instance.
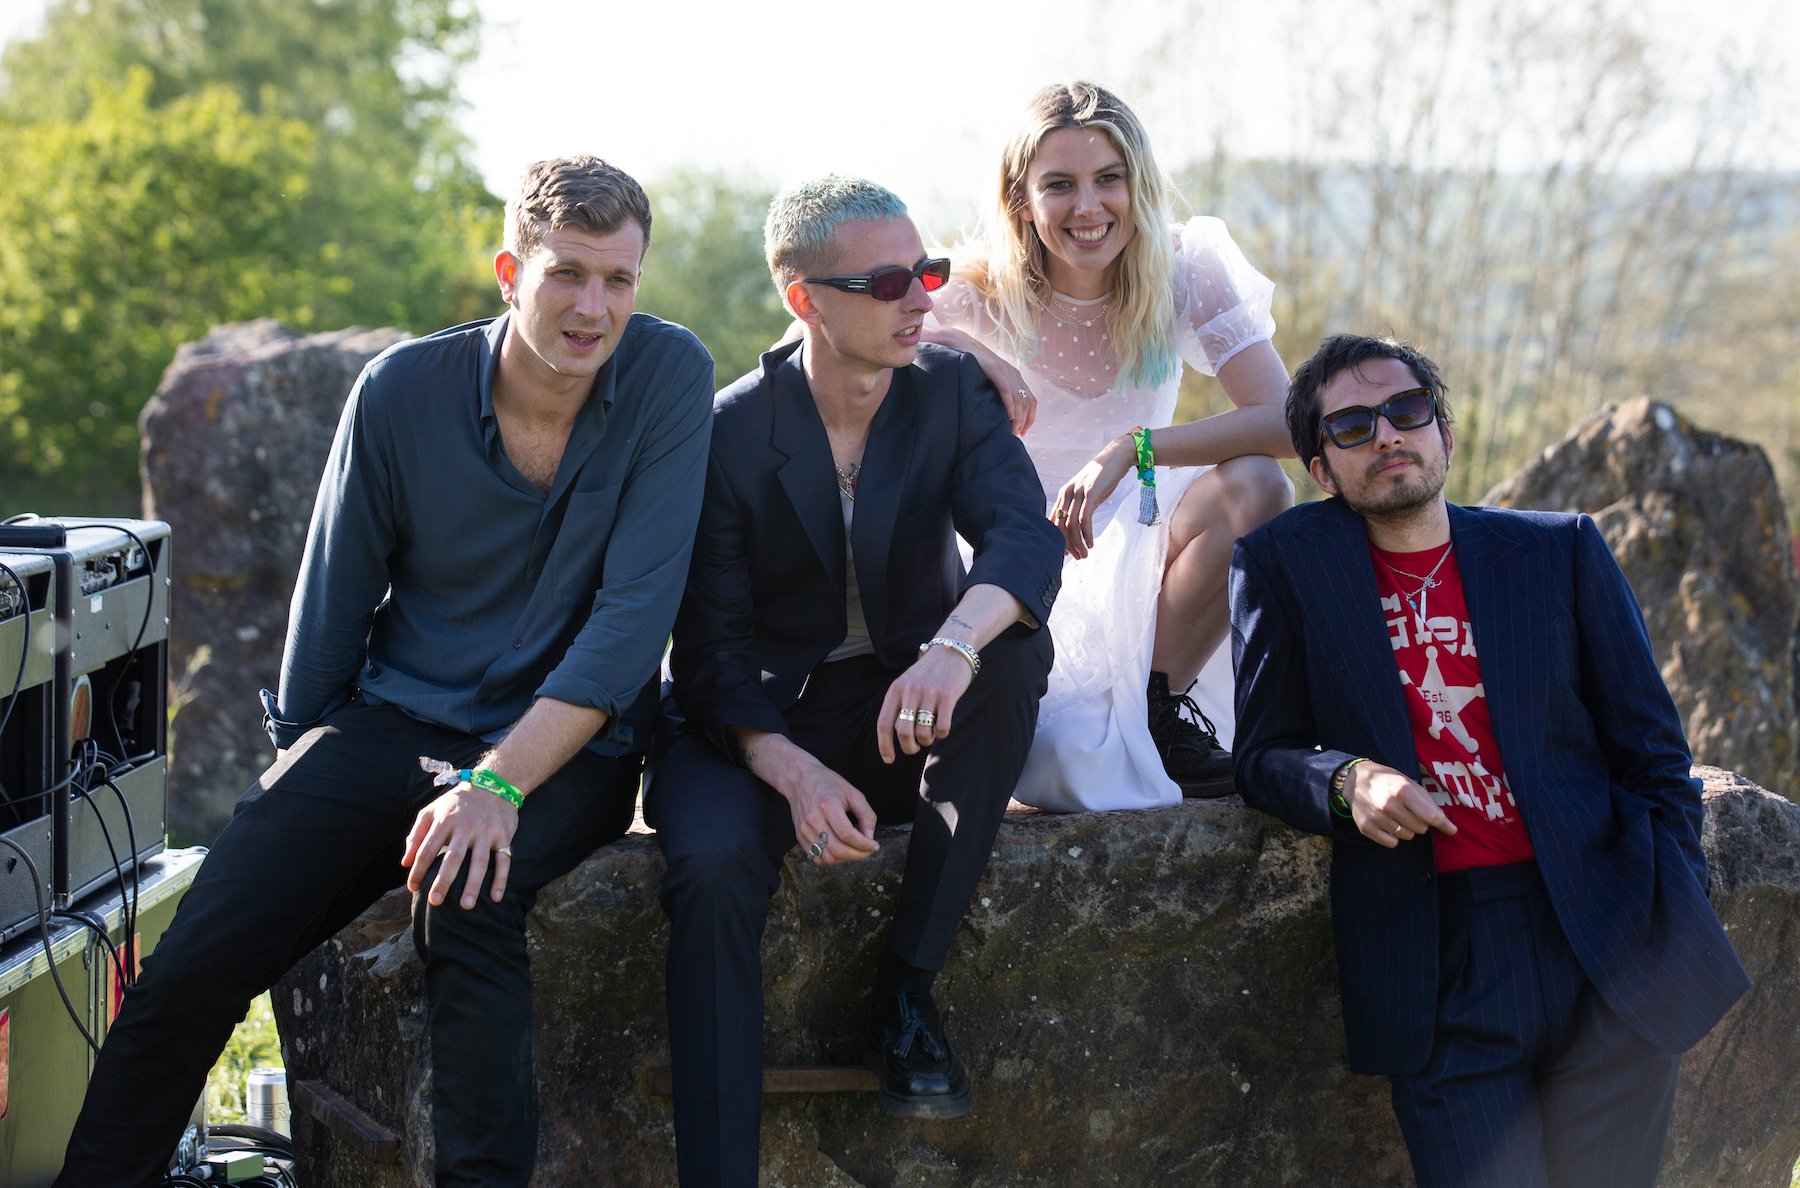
{"x":1700,"y":530}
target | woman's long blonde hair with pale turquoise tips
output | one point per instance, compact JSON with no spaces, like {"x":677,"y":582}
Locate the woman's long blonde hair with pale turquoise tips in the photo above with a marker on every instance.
{"x":1012,"y":273}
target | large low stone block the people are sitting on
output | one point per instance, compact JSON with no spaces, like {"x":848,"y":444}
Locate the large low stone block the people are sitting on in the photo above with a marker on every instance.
{"x":1142,"y":1000}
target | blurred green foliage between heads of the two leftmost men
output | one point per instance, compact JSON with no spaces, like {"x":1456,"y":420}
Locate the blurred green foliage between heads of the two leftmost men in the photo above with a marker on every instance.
{"x":706,"y":267}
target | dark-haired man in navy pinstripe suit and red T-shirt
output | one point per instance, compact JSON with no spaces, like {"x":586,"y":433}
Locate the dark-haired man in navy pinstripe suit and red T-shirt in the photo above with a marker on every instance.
{"x":1466,"y":703}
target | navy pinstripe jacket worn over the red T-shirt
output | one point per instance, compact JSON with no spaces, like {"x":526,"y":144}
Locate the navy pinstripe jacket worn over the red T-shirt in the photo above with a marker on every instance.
{"x":1587,"y":730}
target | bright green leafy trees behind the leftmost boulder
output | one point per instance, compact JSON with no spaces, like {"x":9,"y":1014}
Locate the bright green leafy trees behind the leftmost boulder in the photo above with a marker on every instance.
{"x":372,"y":213}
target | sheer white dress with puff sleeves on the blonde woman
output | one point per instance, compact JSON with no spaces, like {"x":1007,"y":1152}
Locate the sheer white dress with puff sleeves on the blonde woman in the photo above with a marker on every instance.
{"x":1093,"y":744}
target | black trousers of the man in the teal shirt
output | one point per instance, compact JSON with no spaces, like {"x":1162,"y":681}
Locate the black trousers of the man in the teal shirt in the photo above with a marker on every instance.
{"x":309,"y":849}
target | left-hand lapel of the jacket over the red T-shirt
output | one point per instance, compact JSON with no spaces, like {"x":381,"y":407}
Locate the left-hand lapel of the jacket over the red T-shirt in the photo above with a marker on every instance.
{"x":1347,"y":607}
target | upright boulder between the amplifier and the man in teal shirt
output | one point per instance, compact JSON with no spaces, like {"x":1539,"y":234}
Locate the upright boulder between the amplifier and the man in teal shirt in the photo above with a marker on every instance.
{"x":235,"y":442}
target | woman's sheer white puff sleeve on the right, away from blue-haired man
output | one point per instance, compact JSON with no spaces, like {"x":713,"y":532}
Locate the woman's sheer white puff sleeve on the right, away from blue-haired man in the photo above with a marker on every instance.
{"x":1221,"y":301}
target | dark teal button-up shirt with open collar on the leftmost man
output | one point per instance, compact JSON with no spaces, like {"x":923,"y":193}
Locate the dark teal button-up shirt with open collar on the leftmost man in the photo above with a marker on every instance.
{"x":440,"y":580}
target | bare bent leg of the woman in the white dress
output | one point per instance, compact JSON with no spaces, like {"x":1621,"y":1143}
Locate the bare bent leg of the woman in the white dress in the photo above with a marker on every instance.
{"x":1192,"y":616}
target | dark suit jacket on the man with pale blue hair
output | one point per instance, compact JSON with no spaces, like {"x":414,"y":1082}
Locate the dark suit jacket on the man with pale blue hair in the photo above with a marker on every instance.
{"x":766,"y":589}
